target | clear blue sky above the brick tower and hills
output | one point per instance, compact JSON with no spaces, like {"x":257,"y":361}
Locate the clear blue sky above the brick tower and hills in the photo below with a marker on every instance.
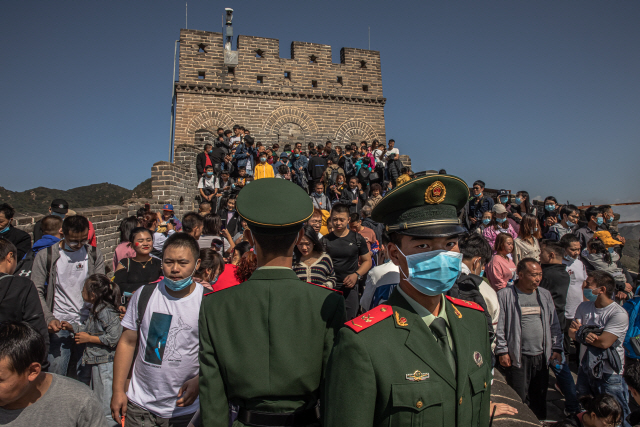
{"x":541,"y":96}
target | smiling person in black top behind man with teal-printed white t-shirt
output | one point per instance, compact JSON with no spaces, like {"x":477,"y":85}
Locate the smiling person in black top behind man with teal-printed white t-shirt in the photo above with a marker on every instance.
{"x":141,"y":269}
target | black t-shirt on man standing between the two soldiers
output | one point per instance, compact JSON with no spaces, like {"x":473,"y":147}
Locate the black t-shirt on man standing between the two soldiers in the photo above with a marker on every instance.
{"x":344,"y":252}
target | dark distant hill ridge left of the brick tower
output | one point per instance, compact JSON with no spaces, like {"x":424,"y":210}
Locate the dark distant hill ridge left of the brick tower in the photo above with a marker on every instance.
{"x":39,"y":199}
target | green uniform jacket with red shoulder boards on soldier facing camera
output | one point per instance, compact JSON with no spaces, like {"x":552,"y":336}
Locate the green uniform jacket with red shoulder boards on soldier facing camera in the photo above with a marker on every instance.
{"x":369,"y":373}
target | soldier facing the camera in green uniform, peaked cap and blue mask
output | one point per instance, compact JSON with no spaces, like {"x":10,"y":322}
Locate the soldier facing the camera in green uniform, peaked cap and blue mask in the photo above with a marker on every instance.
{"x":422,"y":359}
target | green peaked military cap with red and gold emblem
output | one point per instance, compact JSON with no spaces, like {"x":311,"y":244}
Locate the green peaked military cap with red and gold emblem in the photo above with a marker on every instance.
{"x":426,"y":206}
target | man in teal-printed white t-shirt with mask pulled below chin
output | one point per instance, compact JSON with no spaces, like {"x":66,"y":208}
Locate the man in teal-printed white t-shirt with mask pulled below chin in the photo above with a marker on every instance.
{"x":164,"y":379}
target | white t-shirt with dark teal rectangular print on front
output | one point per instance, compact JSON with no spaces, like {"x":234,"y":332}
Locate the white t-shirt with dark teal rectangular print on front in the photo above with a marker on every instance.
{"x":168,"y":350}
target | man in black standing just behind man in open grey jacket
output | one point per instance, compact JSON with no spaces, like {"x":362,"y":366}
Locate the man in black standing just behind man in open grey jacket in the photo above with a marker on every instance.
{"x":556,"y":280}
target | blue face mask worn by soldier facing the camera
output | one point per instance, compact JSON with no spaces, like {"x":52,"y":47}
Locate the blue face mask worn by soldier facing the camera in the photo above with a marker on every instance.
{"x":433,"y":273}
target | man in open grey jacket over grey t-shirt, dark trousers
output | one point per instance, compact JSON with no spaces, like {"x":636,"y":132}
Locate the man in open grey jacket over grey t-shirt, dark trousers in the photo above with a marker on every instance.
{"x":528,"y":337}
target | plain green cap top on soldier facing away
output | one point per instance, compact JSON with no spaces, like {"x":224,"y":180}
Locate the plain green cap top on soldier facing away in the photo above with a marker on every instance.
{"x":274,"y":206}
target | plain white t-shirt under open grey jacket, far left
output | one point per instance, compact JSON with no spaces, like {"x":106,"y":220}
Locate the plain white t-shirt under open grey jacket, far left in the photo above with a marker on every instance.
{"x":72,"y":270}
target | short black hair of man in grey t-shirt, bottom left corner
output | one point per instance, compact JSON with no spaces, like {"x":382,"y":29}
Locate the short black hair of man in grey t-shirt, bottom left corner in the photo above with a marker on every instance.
{"x":22,"y":345}
